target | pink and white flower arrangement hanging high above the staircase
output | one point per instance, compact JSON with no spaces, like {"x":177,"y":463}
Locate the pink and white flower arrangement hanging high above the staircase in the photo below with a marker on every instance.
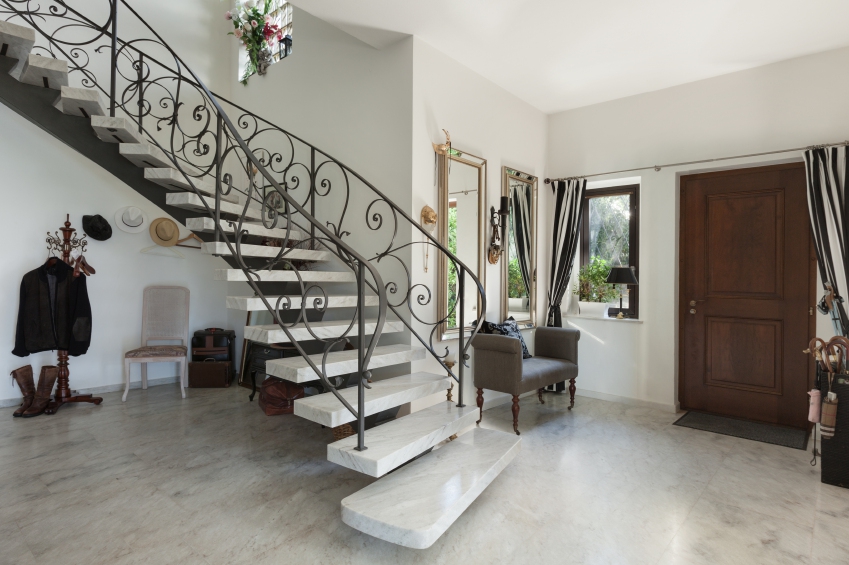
{"x":255,"y":28}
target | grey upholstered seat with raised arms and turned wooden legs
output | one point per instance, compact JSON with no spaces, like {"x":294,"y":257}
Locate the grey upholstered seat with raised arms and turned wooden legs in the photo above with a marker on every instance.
{"x":499,"y":365}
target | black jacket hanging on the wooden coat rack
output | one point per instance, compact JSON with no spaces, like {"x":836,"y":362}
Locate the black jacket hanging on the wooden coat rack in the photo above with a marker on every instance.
{"x":54,"y":312}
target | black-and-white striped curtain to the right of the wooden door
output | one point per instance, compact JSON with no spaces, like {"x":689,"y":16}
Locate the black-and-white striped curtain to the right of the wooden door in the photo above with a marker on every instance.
{"x":829,"y":211}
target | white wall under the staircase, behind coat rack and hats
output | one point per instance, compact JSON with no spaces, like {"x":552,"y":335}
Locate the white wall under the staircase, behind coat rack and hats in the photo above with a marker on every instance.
{"x":43,"y":180}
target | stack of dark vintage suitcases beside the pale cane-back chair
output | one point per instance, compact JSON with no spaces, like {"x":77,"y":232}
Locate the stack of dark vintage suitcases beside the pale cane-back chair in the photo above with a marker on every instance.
{"x":213,"y":355}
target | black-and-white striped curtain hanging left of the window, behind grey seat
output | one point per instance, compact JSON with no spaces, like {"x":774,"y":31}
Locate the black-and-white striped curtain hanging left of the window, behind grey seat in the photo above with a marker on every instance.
{"x":567,"y":228}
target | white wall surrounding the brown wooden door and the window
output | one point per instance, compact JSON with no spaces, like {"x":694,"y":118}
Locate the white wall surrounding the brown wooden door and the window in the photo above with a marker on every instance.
{"x":793,"y":103}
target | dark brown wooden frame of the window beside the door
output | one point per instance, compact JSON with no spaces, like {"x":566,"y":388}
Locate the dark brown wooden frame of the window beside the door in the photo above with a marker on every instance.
{"x":633,"y":190}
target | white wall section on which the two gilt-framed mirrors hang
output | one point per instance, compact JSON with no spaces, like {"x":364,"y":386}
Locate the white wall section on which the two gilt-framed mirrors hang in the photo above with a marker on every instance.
{"x":484,"y":120}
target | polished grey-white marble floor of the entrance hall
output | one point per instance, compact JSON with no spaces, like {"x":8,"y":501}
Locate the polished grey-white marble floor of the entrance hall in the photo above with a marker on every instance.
{"x":211,"y":480}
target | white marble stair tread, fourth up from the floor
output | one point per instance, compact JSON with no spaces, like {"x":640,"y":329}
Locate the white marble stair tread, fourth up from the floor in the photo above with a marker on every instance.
{"x":297,"y":370}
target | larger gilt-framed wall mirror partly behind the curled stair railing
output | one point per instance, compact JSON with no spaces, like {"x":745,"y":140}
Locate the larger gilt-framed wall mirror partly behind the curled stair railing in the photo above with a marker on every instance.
{"x":461,"y":181}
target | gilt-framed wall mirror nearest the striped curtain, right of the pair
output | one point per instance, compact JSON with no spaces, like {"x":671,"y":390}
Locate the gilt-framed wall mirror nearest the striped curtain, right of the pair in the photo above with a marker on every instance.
{"x":519,"y":260}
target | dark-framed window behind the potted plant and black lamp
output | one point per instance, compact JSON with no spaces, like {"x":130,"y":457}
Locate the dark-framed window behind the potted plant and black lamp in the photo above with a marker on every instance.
{"x":610,"y":233}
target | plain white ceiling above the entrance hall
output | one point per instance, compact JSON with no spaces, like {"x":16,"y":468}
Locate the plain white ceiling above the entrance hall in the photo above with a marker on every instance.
{"x":562,"y":54}
